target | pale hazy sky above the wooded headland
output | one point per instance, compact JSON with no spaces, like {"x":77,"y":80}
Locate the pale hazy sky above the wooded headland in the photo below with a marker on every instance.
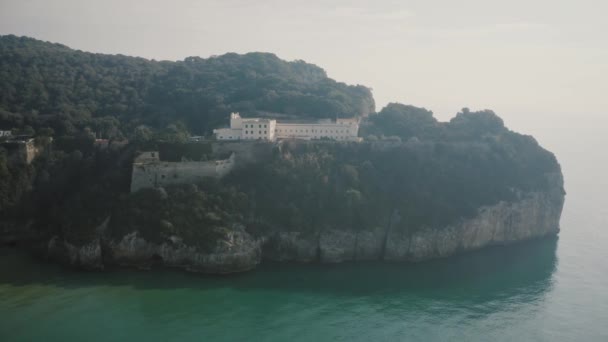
{"x":518,"y":57}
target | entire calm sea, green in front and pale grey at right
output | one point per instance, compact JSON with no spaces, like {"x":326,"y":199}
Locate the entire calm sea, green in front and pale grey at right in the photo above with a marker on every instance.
{"x":549,"y":290}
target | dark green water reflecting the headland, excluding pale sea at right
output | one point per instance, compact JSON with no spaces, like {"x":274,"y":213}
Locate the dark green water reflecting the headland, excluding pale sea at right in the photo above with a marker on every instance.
{"x":485,"y":292}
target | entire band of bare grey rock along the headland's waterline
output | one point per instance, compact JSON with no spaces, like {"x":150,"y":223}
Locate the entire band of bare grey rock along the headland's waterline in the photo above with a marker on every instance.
{"x":534,"y":215}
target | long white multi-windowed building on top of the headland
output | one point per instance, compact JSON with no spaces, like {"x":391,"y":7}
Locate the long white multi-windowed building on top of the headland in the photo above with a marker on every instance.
{"x":269,"y":129}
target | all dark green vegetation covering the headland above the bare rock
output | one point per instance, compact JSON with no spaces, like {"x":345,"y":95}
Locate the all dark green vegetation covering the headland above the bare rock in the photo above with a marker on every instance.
{"x":431,"y":173}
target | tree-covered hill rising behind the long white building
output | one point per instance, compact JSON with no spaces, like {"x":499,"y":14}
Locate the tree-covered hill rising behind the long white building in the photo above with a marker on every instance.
{"x":50,"y":85}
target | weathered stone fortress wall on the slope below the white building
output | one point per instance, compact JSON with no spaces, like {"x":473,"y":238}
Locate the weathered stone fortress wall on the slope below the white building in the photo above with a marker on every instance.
{"x":152,"y":173}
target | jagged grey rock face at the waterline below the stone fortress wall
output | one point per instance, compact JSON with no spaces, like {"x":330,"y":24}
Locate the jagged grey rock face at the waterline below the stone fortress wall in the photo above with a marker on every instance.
{"x":236,"y":251}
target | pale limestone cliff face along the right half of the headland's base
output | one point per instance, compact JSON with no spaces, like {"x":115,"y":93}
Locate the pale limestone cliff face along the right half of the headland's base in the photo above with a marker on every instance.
{"x":534,"y":215}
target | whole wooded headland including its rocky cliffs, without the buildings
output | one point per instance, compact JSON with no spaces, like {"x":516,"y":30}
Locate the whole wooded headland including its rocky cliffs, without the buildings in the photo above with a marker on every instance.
{"x":414,"y":188}
